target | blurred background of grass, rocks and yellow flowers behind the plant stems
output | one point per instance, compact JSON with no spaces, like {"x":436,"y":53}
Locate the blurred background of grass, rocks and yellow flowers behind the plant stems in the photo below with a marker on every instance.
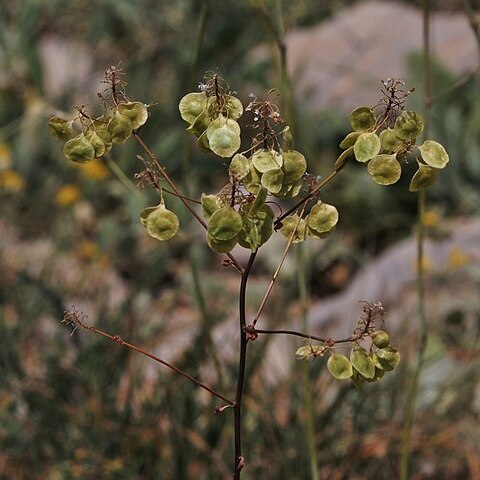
{"x":82,"y":407}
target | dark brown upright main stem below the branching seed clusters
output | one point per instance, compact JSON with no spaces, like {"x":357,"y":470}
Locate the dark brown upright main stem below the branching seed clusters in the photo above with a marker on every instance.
{"x":242,"y":360}
